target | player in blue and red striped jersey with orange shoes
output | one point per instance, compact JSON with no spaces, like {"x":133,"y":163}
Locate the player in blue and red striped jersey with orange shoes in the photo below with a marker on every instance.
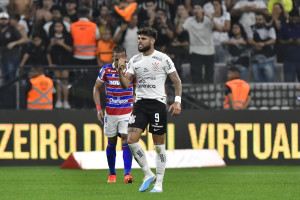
{"x":119,"y":103}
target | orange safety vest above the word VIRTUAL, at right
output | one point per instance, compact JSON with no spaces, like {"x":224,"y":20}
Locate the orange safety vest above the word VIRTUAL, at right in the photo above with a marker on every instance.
{"x":240,"y":91}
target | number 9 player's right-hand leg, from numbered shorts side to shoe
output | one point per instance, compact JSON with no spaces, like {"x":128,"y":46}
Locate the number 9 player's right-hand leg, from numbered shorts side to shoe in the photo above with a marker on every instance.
{"x":158,"y":124}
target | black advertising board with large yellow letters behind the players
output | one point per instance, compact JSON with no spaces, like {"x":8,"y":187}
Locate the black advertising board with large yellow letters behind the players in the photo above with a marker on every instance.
{"x":240,"y":137}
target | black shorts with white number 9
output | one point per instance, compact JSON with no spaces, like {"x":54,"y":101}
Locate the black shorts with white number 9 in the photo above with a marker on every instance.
{"x":149,"y":111}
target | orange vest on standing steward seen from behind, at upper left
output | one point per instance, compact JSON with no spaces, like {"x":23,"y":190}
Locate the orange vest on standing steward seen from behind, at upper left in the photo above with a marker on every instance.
{"x":84,"y":38}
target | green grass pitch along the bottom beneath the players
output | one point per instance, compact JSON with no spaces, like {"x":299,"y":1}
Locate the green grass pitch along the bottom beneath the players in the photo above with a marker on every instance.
{"x":233,"y":182}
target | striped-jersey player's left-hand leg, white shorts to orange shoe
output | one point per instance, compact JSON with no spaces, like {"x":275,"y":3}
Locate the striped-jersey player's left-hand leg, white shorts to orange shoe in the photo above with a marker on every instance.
{"x":110,"y":131}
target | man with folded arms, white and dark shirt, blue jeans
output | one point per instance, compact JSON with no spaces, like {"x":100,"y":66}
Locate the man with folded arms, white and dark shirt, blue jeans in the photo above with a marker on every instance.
{"x":262,"y":39}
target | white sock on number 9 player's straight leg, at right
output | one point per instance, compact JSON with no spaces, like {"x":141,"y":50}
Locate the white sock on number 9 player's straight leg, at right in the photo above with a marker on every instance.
{"x":160,"y":165}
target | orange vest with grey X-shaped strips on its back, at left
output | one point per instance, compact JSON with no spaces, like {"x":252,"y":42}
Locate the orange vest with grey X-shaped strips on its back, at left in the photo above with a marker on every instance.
{"x":41,"y":94}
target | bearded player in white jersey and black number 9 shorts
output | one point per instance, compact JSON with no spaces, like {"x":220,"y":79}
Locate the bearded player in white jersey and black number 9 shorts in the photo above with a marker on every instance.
{"x":151,"y":69}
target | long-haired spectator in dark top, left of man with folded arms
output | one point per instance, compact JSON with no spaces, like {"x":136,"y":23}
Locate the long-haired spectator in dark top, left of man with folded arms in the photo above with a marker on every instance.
{"x":237,"y":49}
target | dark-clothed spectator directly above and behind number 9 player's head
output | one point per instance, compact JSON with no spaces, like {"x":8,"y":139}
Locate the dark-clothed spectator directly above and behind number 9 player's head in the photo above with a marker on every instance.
{"x":165,"y":30}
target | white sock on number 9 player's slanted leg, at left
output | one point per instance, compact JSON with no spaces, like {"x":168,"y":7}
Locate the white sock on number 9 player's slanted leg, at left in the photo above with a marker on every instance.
{"x":140,"y":157}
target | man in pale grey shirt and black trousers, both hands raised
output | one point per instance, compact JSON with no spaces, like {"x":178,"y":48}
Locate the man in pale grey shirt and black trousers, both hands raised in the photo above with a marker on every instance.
{"x":200,"y":28}
